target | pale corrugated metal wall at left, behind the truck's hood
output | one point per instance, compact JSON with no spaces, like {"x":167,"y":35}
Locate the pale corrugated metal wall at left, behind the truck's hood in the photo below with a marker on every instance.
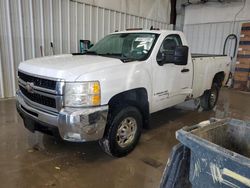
{"x":27,"y":27}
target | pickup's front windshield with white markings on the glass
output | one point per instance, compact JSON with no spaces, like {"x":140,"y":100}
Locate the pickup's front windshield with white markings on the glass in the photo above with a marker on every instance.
{"x":125,"y":46}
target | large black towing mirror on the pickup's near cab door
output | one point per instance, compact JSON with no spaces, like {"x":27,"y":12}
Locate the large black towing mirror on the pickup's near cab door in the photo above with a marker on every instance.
{"x":178,"y":56}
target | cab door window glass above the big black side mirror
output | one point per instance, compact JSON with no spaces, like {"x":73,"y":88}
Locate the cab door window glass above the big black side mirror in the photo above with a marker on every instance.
{"x":169,"y":44}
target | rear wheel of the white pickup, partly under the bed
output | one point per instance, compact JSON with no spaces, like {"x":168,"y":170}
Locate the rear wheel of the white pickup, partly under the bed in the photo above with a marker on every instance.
{"x":210,"y":97}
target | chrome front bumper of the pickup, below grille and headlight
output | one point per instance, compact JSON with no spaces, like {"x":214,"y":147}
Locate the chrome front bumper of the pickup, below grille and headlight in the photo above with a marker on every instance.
{"x":73,"y":124}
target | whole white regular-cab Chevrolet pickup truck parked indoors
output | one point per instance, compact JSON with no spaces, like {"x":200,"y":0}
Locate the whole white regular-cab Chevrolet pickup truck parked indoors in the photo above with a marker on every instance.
{"x":108,"y":92}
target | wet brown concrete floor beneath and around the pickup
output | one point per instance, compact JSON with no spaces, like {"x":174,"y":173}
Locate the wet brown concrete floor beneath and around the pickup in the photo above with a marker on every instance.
{"x":37,"y":160}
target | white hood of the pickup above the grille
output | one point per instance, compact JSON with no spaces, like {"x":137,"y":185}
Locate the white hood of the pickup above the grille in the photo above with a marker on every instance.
{"x":67,"y":67}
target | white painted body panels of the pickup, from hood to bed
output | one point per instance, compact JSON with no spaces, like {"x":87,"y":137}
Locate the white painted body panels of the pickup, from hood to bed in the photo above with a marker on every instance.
{"x":116,"y":77}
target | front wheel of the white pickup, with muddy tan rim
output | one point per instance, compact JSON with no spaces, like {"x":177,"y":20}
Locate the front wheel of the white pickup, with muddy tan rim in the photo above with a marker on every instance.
{"x":123,"y":132}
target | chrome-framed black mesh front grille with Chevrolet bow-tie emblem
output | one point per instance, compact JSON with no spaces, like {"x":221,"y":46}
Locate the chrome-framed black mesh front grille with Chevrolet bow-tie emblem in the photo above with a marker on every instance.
{"x":42,"y":93}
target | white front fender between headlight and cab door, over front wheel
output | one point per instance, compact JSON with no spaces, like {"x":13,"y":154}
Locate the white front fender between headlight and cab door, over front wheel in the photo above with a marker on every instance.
{"x":117,"y":79}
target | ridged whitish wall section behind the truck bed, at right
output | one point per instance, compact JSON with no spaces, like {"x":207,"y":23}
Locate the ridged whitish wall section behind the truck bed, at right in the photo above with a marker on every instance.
{"x":209,"y":38}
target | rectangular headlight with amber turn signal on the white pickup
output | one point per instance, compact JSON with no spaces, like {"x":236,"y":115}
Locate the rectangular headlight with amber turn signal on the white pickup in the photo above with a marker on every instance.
{"x":80,"y":94}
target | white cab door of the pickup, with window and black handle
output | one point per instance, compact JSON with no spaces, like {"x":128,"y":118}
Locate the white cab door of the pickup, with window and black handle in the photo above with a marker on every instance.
{"x":171,"y":83}
